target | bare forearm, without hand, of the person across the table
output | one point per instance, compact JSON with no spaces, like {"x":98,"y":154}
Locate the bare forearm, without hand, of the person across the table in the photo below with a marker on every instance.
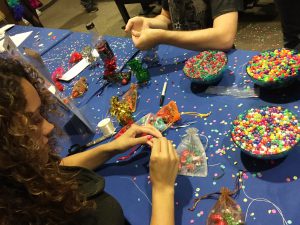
{"x":197,"y":40}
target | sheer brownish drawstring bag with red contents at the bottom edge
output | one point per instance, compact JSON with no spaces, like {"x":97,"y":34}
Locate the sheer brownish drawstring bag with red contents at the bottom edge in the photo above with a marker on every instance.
{"x":226,"y":211}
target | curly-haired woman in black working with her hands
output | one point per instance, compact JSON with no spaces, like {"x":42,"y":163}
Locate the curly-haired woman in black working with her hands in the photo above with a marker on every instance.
{"x":39,"y":187}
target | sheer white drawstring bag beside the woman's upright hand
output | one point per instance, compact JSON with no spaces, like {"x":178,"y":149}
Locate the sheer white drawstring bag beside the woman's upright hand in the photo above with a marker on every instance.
{"x":192,"y":155}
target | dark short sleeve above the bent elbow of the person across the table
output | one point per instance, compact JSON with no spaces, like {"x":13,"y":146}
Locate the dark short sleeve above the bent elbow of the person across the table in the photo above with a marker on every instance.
{"x":220,"y":7}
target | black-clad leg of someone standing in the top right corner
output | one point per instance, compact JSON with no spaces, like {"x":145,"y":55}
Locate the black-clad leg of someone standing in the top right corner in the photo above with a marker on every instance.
{"x":290,"y":20}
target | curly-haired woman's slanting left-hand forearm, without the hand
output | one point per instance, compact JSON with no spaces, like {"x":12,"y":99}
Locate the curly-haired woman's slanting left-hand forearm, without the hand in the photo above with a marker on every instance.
{"x":92,"y":158}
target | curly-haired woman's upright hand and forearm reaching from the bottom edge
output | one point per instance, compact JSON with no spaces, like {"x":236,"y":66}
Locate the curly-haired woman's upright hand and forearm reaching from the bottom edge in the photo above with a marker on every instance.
{"x":163,"y":171}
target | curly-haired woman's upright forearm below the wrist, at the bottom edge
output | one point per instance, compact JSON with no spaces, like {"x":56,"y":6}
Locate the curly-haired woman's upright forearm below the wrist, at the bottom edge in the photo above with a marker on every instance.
{"x":162,"y":207}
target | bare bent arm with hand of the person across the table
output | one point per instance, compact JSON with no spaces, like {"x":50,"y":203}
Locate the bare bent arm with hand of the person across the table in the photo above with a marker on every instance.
{"x":220,"y":36}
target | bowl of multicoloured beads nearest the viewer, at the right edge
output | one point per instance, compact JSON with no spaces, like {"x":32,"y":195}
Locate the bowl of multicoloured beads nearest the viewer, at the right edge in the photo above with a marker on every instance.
{"x":267,"y":133}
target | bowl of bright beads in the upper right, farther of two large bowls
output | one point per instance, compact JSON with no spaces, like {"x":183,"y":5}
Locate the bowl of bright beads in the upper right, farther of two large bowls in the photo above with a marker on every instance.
{"x":274,"y":68}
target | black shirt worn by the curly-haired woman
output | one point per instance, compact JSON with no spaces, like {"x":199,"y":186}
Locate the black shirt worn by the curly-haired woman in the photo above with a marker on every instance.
{"x":108,"y":211}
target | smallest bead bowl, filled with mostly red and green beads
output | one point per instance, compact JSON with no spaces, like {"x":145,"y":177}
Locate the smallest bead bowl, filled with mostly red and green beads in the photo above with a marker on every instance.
{"x":206,"y":68}
